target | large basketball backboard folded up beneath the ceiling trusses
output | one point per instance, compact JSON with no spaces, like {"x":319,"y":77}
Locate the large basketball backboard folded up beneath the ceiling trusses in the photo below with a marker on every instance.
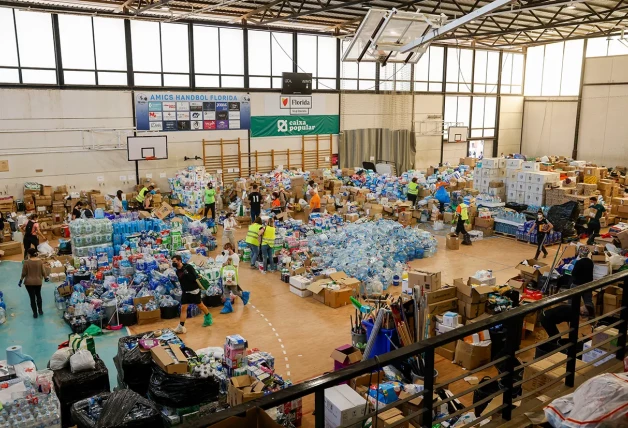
{"x":383,"y":33}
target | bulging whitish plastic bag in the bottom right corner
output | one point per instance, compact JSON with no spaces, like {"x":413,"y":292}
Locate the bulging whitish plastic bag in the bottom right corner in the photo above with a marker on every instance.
{"x":599,"y":401}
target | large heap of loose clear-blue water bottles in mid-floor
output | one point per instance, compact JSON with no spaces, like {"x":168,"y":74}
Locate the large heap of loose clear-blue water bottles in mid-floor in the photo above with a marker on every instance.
{"x":372,"y":251}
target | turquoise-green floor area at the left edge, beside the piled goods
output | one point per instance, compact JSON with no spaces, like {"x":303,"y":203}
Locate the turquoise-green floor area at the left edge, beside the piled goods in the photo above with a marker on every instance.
{"x":40,"y":337}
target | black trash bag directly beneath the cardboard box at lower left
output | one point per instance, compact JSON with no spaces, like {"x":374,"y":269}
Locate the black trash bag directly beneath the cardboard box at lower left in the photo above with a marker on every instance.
{"x":178,"y":390}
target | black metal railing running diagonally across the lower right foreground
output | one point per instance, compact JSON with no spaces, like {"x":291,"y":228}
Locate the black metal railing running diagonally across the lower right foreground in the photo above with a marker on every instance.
{"x":512,"y":321}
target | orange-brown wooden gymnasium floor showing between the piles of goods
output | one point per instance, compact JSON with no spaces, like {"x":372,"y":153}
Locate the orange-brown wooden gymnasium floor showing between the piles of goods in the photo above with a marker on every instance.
{"x":302,"y":333}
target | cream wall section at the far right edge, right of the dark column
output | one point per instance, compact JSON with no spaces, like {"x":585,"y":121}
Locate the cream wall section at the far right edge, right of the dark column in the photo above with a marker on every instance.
{"x":603,"y":124}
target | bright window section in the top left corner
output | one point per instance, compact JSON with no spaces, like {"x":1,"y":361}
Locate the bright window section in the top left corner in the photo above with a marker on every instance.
{"x":28,"y":57}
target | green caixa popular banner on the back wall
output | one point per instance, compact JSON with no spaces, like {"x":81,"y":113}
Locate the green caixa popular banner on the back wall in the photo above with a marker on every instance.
{"x":278,"y":126}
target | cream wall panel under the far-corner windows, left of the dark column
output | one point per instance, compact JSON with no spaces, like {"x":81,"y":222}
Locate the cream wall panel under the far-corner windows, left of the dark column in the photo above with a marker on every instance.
{"x":549,"y":126}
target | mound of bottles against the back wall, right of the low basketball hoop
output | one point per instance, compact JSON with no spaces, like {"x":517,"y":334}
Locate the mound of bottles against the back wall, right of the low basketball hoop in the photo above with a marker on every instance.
{"x":189,"y":184}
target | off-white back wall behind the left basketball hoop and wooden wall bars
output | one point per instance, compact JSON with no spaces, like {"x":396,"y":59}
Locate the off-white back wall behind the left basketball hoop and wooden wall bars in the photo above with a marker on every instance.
{"x":67,"y":157}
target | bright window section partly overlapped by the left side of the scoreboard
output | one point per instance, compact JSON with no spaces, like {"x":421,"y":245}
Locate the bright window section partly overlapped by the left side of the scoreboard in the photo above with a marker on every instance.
{"x":271,"y":54}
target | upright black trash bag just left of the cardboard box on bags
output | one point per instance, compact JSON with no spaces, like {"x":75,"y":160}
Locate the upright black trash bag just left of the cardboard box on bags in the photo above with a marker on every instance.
{"x":134,"y":367}
